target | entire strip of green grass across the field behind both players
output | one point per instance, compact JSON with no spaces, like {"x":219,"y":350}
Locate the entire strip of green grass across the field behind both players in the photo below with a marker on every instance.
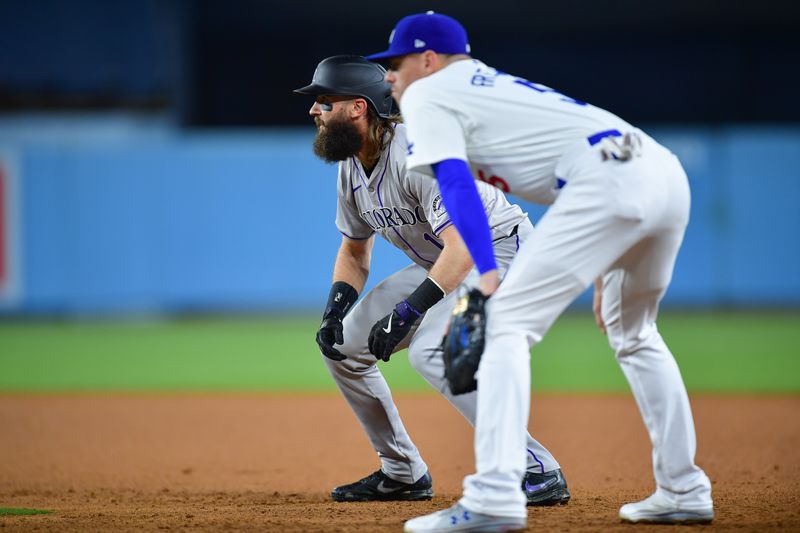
{"x":722,"y":352}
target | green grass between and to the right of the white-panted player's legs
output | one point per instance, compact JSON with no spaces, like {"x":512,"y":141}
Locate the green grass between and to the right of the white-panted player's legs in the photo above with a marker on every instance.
{"x":717,"y":352}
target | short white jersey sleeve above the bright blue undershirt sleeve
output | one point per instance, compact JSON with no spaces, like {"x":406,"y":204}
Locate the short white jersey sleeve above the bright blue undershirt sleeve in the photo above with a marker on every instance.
{"x":436,"y":129}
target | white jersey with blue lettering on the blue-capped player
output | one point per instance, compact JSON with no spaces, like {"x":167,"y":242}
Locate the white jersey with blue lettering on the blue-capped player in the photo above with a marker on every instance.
{"x":510,"y":130}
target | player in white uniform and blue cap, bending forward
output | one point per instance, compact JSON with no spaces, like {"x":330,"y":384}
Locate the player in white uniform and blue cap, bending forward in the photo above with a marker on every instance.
{"x":620,"y":205}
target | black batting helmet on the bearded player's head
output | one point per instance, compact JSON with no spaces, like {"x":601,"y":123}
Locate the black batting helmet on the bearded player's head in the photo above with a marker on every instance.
{"x":352,"y":76}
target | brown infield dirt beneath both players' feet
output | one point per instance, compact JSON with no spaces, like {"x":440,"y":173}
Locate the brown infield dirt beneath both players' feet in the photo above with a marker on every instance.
{"x":267,"y":462}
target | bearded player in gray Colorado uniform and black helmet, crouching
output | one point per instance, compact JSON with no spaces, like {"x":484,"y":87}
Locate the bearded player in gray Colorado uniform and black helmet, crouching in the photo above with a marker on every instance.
{"x":356,"y":127}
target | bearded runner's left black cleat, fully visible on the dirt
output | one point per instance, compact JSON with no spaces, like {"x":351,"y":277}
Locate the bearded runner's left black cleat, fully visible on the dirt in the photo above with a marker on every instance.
{"x":380,"y":487}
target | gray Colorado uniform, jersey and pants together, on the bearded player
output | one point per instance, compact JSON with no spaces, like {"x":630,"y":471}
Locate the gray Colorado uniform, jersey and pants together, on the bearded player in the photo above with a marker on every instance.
{"x":406,"y":209}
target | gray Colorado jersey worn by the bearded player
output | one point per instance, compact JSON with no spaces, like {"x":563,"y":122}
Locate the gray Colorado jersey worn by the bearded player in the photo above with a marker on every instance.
{"x":405,"y":207}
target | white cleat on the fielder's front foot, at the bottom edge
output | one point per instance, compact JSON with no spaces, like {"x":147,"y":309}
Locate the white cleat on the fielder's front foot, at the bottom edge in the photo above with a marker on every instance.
{"x":461,"y":520}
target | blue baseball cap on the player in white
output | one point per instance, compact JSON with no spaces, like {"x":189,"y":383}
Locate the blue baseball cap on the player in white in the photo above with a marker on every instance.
{"x":426,"y":31}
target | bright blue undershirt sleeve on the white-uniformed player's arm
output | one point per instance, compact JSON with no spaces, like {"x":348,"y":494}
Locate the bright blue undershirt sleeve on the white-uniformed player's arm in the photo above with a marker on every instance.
{"x":464,"y":204}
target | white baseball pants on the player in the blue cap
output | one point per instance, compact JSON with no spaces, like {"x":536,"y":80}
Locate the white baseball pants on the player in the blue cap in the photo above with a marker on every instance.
{"x":621,"y":220}
